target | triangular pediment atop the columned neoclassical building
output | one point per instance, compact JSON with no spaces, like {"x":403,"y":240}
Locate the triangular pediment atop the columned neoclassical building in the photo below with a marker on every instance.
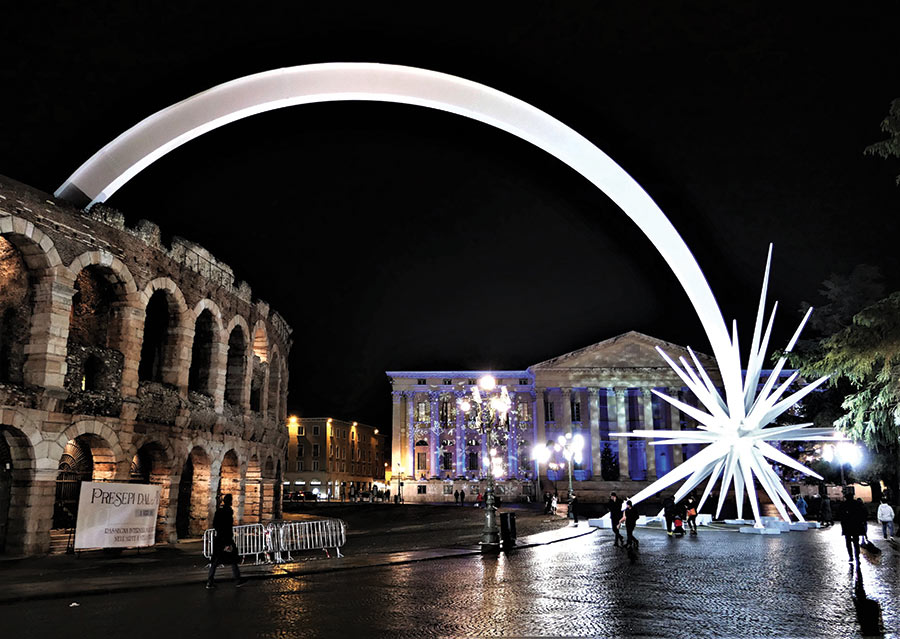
{"x":629,"y":350}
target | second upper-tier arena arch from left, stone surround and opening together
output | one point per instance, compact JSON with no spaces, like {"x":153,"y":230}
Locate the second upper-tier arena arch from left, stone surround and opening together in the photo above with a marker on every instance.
{"x":100,"y":331}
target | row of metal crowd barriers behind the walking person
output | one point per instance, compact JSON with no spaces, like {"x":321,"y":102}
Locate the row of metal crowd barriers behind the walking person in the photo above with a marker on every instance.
{"x":274,"y":542}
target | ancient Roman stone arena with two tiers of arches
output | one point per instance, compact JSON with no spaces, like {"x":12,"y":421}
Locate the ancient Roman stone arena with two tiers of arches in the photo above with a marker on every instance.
{"x":122,"y":359}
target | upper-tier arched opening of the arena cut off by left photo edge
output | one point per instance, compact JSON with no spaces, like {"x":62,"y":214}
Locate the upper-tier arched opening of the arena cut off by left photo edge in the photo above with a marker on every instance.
{"x":16,"y":302}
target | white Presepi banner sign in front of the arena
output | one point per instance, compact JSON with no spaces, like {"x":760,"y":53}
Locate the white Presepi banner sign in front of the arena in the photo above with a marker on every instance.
{"x":116,"y":515}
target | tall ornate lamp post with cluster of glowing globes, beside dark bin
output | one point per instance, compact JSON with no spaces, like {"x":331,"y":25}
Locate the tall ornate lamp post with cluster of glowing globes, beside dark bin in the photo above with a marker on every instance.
{"x":489,"y":404}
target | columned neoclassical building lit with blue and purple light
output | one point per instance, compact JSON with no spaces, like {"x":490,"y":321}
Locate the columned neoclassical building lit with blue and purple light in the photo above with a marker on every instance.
{"x":595,"y":391}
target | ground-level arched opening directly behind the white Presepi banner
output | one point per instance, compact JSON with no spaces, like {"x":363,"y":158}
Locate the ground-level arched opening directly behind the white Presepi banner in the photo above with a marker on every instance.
{"x":88,"y":457}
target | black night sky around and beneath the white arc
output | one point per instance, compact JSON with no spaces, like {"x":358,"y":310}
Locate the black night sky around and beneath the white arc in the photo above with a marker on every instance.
{"x":411,"y":239}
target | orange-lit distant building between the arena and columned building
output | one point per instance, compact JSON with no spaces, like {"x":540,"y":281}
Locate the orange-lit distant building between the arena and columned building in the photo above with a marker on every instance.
{"x":333,"y":458}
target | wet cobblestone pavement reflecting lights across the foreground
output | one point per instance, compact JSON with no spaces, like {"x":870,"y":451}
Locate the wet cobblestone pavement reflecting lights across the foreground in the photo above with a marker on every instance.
{"x":718,"y":584}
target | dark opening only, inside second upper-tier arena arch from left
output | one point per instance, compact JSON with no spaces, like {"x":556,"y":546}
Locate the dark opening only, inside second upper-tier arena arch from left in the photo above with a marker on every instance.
{"x":93,"y":365}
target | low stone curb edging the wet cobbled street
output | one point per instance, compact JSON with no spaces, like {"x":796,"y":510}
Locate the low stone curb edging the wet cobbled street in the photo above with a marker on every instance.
{"x":278,"y":571}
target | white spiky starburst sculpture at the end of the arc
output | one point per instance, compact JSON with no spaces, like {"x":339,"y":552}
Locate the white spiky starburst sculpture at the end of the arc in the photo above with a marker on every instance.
{"x":735,"y":428}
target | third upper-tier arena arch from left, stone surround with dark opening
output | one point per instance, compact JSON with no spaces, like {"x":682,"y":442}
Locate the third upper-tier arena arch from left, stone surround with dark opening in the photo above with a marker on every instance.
{"x":167,"y":334}
